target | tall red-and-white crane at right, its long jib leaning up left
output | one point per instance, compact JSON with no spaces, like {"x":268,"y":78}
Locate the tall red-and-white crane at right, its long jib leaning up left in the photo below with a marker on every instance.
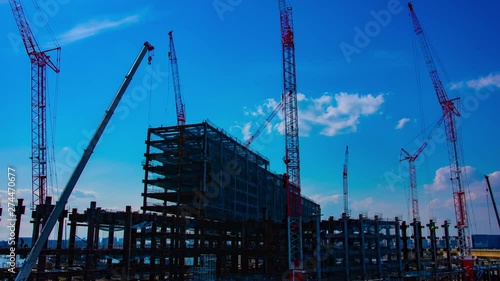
{"x":450,"y":112}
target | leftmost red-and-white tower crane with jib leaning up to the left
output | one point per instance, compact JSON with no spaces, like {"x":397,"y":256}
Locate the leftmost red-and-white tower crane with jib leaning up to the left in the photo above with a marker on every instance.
{"x":39,"y":61}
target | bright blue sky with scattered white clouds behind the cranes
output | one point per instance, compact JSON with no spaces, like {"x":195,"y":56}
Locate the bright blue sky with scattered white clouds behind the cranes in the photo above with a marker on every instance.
{"x":230,"y":68}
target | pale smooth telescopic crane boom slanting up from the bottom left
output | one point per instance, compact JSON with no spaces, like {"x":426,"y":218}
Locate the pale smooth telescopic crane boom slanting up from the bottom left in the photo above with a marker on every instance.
{"x":59,"y":207}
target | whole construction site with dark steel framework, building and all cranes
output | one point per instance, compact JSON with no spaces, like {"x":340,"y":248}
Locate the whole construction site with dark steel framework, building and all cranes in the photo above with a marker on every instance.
{"x":212,"y":209}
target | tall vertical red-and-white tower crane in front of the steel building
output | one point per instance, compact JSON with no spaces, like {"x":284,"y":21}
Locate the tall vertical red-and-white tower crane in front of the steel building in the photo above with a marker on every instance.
{"x":291,"y":159}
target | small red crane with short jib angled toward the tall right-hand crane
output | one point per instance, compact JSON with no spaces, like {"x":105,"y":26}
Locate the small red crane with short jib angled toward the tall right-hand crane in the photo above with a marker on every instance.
{"x":413,"y":172}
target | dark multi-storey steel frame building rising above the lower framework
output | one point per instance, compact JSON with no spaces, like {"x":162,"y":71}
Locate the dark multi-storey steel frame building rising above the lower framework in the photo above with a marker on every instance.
{"x":199,"y":170}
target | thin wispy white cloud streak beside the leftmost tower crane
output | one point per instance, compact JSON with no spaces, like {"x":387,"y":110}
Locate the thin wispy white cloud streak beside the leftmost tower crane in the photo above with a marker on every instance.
{"x":94,"y":27}
